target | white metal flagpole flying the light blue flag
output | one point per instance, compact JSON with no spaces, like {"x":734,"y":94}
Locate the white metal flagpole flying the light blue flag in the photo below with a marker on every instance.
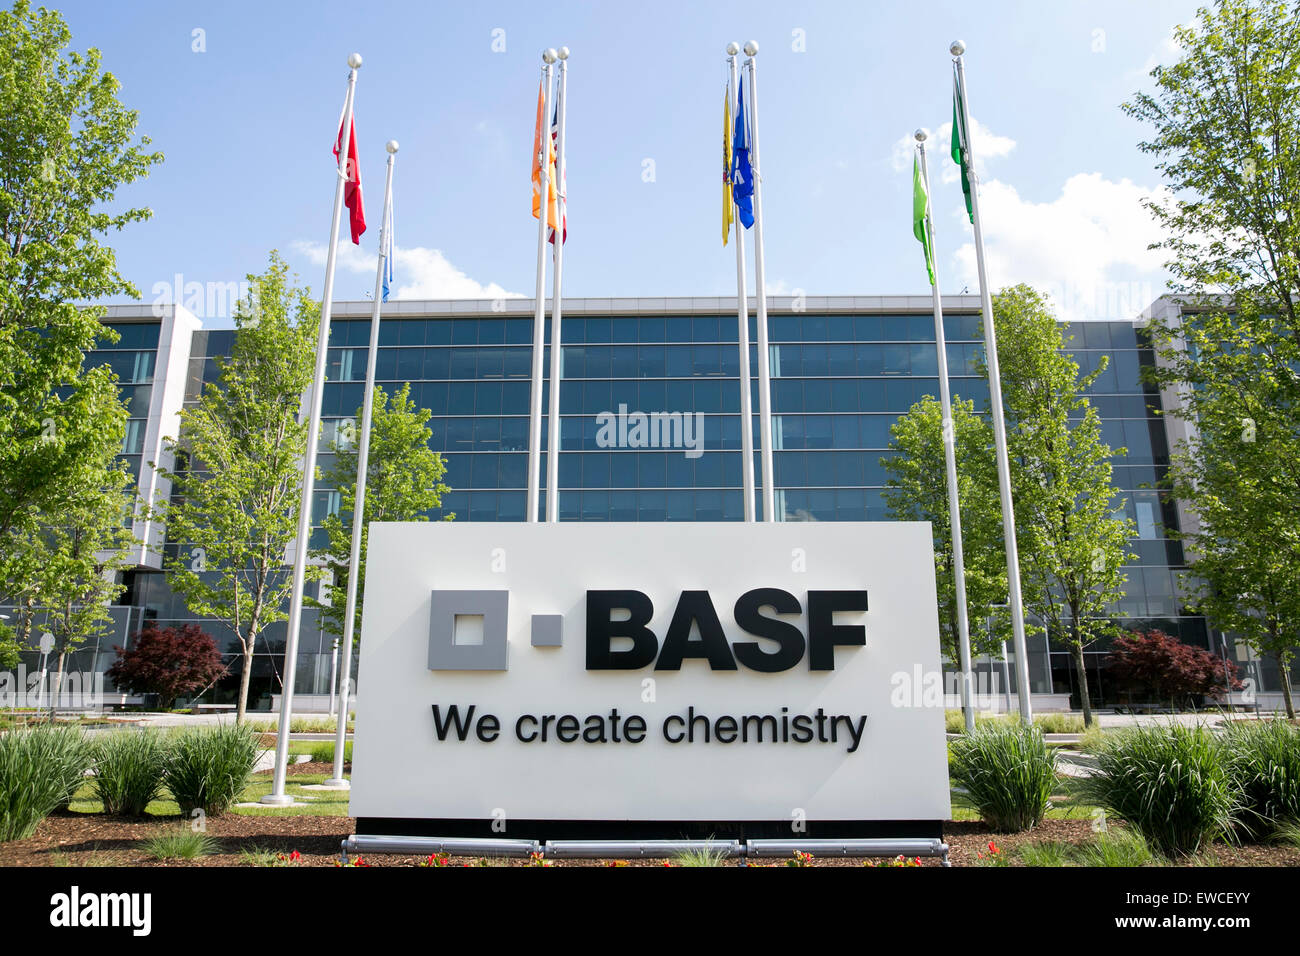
{"x":363,"y":464}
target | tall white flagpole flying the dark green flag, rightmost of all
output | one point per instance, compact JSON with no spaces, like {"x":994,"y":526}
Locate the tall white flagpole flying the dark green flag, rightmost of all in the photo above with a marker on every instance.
{"x":995,"y":397}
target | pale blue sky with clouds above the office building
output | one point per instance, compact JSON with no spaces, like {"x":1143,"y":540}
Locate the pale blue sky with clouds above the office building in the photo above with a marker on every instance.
{"x":248,"y":124}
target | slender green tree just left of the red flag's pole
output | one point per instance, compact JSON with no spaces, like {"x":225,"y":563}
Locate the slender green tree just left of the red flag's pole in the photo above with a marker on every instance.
{"x":236,"y":490}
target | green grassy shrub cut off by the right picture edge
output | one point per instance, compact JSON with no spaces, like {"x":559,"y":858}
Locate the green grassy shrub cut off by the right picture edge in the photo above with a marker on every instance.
{"x":1264,"y":764}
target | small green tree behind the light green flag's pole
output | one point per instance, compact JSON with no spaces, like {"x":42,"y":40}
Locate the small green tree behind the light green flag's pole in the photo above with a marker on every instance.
{"x":917,"y":491}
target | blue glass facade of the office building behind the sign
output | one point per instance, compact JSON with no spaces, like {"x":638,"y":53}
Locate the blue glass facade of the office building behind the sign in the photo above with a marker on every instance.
{"x":839,"y":383}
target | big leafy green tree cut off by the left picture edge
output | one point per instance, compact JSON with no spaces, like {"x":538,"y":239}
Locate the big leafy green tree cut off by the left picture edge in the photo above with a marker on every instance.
{"x":67,"y":148}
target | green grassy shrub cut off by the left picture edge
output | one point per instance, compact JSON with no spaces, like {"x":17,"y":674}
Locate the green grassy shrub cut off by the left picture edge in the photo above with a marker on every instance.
{"x":41,"y":771}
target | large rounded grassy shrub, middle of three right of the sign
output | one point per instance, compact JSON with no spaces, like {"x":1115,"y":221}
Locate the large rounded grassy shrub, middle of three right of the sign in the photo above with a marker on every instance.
{"x":1171,"y":784}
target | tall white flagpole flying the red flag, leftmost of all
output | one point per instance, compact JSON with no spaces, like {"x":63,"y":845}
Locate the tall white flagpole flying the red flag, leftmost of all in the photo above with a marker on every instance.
{"x":278,"y":795}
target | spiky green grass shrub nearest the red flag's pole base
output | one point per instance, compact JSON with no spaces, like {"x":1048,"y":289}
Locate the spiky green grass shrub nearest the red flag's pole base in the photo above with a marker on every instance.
{"x":209,"y":769}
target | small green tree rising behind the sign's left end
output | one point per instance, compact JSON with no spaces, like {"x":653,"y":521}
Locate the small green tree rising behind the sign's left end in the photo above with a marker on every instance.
{"x":404,"y":481}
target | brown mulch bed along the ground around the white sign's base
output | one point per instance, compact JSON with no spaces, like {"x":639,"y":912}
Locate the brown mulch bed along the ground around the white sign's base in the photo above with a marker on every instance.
{"x":85,"y":840}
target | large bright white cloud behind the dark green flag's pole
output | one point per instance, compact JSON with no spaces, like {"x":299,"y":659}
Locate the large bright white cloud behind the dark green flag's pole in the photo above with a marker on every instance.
{"x":1087,"y":249}
